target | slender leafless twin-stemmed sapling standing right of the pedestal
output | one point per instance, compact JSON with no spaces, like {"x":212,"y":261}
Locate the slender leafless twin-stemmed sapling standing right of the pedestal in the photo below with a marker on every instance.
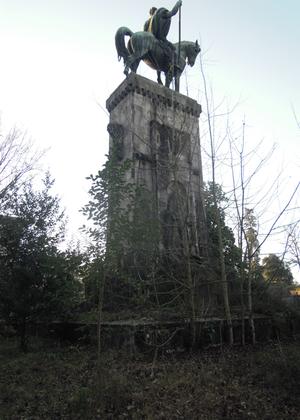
{"x":252,"y":200}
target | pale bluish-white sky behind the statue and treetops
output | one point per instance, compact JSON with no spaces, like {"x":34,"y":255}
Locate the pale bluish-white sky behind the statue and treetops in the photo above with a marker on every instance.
{"x":59,"y":65}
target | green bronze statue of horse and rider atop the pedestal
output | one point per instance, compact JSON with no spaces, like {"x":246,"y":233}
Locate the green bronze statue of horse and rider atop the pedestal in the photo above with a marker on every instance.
{"x":152,"y":46}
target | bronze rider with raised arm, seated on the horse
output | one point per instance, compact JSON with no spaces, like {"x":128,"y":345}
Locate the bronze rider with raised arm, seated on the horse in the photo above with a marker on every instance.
{"x":159,"y":25}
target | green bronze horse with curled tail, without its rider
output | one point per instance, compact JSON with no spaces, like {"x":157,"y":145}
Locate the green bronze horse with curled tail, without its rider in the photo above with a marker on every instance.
{"x":144,"y":46}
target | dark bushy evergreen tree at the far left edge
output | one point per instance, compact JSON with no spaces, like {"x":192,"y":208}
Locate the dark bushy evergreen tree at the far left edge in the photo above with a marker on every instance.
{"x":38,"y":281}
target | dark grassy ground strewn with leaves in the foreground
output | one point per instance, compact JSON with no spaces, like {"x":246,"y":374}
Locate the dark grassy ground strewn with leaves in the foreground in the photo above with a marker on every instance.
{"x":53,"y":382}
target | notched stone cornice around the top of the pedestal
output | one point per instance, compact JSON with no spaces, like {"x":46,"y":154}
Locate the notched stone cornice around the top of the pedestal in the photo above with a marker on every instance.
{"x":157,"y":93}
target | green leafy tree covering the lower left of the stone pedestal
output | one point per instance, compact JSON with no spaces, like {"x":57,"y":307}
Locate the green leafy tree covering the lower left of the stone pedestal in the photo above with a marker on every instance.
{"x":124,"y":235}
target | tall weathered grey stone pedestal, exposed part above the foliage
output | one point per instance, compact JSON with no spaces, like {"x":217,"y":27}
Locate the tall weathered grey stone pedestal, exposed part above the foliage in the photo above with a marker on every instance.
{"x":158,"y":130}
